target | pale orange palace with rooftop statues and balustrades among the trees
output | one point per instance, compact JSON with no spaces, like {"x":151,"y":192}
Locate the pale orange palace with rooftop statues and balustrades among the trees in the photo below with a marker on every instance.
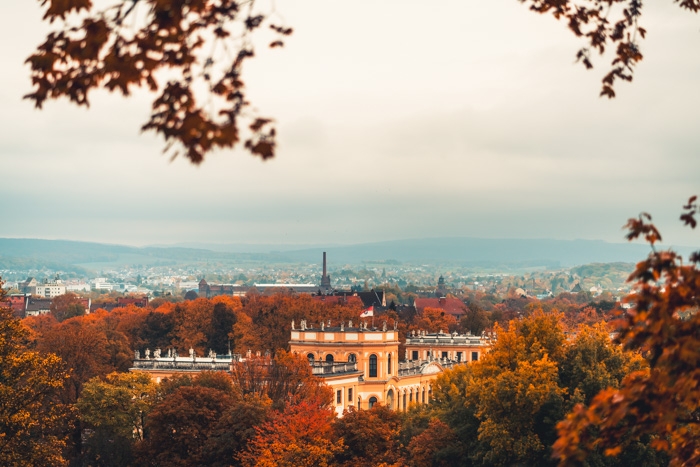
{"x":360,"y":363}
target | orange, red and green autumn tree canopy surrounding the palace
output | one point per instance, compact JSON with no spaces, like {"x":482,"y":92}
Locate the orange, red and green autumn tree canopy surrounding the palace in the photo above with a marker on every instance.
{"x":555,"y":388}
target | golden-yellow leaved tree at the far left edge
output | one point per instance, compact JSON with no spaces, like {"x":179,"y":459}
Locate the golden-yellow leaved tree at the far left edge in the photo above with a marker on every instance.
{"x":31,"y":420}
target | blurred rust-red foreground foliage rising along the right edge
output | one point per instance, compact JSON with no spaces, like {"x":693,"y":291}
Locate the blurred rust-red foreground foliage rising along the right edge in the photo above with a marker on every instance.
{"x":661,"y":403}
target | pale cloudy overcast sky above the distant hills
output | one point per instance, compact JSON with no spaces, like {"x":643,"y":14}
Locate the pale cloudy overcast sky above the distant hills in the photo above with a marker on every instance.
{"x":397,"y":119}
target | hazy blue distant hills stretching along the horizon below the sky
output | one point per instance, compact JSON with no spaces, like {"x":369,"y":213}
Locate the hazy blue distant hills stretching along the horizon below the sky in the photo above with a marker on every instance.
{"x":476,"y":252}
